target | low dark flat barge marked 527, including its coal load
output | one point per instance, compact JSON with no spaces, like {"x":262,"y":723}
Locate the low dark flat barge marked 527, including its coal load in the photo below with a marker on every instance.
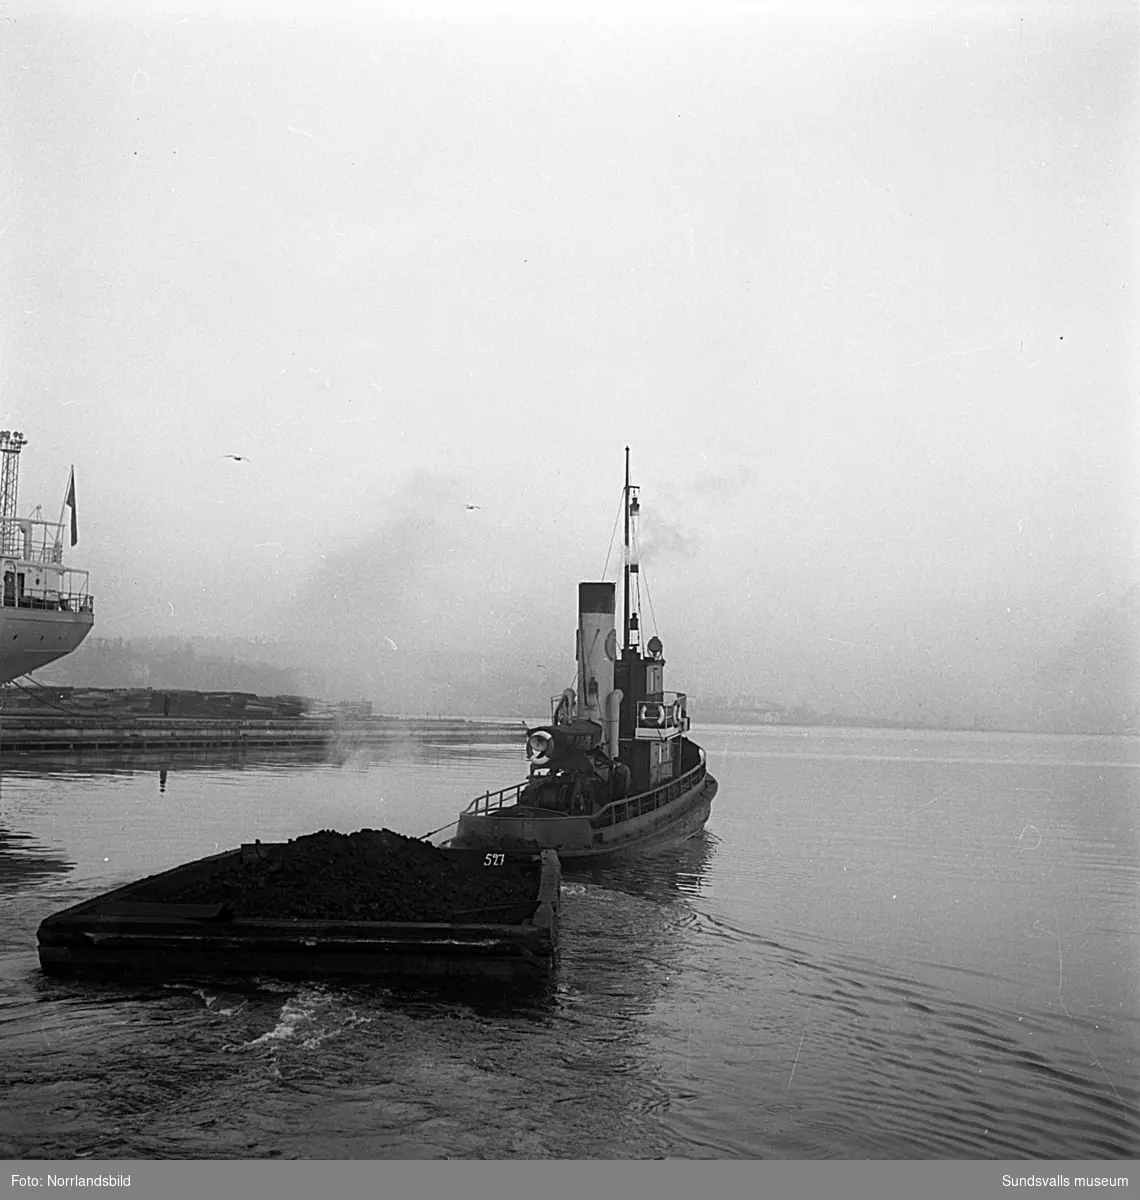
{"x":195,"y":922}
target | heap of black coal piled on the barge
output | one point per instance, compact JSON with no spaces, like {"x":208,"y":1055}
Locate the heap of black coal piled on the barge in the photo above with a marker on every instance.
{"x":367,"y":877}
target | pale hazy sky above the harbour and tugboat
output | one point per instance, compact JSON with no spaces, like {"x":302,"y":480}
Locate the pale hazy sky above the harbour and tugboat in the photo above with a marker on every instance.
{"x":856,"y":284}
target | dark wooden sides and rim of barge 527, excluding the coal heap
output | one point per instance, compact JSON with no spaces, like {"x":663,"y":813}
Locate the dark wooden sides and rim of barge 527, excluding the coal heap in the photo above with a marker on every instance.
{"x":112,"y":935}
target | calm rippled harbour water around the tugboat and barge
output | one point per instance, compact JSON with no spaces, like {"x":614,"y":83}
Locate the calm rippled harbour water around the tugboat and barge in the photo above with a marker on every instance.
{"x":887,"y":945}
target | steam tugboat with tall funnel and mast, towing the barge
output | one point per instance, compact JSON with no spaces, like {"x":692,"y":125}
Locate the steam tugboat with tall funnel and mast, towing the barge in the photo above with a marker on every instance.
{"x":615,"y":773}
